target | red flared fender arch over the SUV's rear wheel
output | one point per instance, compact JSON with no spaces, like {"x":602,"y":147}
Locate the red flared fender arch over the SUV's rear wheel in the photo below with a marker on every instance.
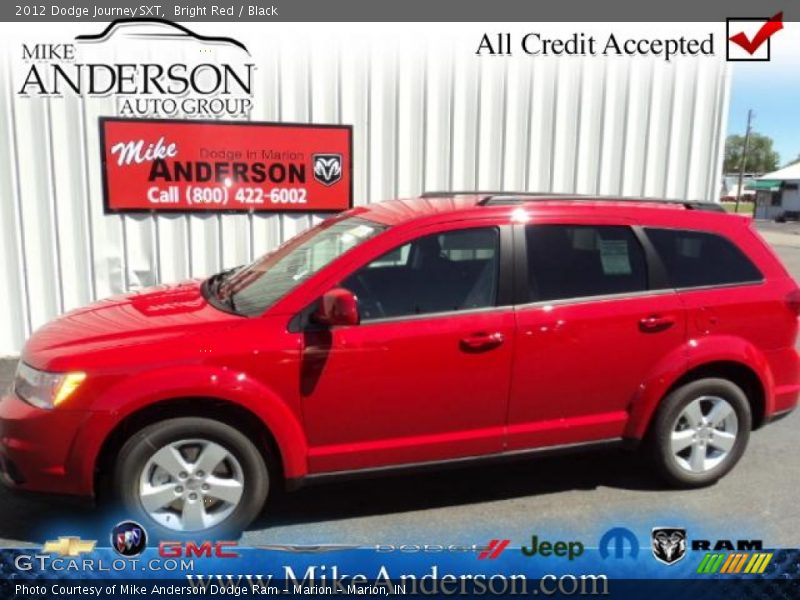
{"x":695,"y":353}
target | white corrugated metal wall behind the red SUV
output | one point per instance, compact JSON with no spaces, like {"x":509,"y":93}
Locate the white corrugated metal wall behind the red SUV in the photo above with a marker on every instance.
{"x":426,"y":118}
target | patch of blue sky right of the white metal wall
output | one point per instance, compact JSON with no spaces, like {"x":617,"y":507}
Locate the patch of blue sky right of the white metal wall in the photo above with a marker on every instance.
{"x":772,"y":90}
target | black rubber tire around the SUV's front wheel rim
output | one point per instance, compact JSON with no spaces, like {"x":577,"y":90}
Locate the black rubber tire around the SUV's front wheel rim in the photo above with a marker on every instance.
{"x":138,"y":450}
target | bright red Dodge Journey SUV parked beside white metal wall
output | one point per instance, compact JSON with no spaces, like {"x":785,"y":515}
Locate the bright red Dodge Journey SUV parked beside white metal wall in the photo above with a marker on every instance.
{"x":409,"y":332}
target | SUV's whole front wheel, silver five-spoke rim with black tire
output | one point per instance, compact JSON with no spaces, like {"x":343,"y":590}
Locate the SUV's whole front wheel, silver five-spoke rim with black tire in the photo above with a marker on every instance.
{"x":190,"y":475}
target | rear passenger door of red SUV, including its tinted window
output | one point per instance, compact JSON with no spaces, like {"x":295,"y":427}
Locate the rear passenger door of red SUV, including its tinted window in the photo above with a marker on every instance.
{"x":592,"y":331}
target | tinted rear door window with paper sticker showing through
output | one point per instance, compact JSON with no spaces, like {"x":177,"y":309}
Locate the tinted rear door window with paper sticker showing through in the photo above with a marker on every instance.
{"x":578,"y":261}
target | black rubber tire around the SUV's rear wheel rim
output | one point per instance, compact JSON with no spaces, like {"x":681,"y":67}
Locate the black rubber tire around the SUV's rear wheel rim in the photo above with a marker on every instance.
{"x":660,"y":443}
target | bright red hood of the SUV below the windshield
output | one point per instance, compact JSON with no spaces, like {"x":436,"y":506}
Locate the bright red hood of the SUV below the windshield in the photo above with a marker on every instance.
{"x":152,"y":315}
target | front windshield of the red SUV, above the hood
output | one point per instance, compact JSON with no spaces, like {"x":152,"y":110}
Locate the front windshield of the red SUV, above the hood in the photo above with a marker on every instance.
{"x":252,"y":289}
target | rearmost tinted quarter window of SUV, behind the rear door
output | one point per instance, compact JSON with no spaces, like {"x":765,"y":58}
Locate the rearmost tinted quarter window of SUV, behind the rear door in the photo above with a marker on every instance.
{"x":697,"y":258}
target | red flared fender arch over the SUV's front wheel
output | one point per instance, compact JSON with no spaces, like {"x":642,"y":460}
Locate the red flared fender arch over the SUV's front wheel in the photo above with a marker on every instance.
{"x":208,"y":381}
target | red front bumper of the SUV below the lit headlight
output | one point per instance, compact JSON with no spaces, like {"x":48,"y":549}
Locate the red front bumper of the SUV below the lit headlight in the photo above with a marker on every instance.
{"x":35,"y":446}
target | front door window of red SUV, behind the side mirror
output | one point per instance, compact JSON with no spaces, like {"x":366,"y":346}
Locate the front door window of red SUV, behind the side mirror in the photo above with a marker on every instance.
{"x":451,"y":271}
